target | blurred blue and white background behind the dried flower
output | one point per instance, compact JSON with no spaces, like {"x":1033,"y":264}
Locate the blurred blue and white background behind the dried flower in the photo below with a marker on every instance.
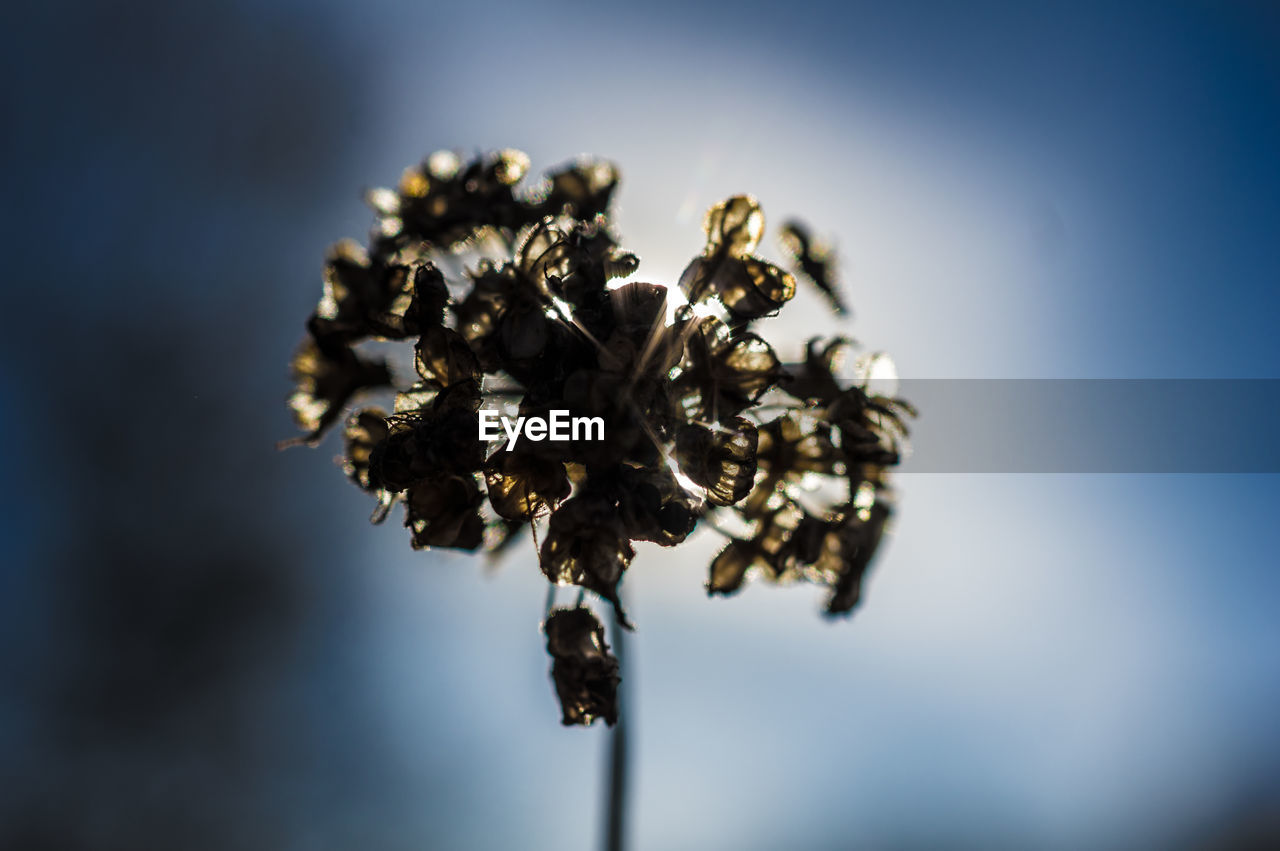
{"x":205,"y":646}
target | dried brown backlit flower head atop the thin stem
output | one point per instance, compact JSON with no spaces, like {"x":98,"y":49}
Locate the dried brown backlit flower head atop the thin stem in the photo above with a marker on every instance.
{"x":523,"y":298}
